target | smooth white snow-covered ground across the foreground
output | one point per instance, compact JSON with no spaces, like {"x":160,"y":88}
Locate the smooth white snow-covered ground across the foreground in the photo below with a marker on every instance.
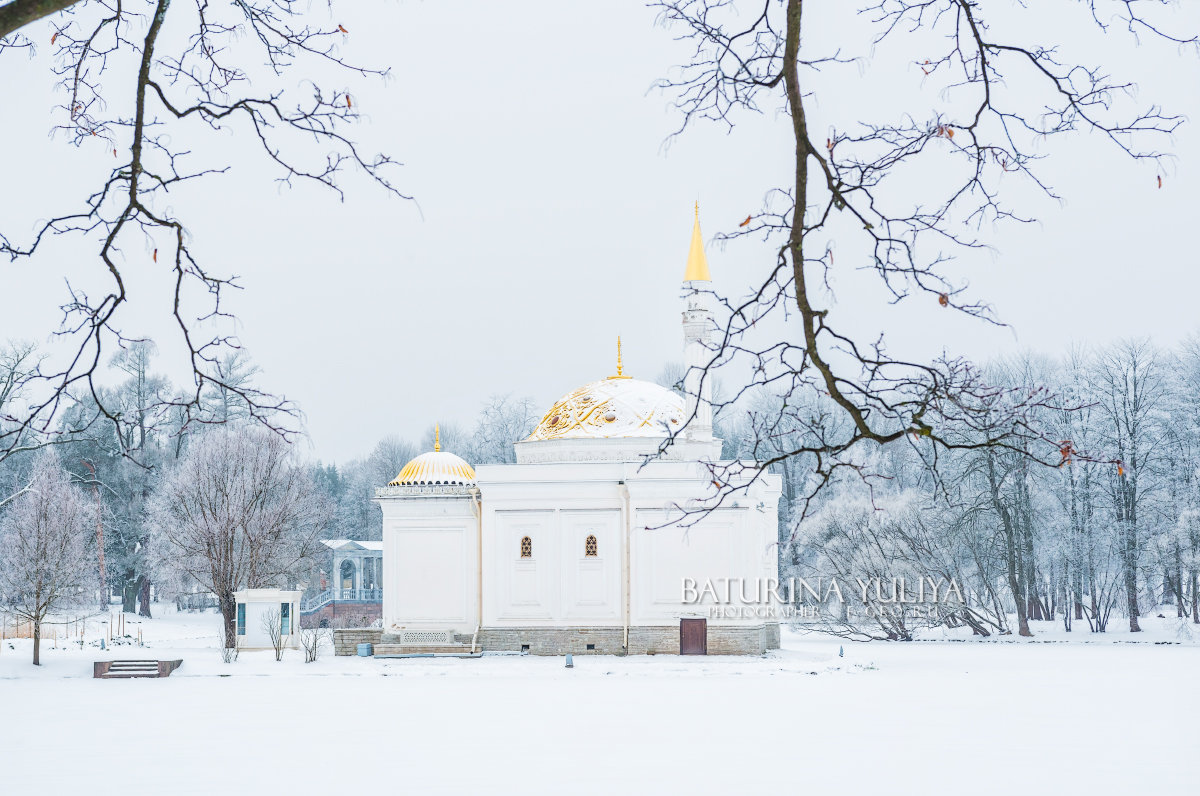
{"x":1113,"y":714}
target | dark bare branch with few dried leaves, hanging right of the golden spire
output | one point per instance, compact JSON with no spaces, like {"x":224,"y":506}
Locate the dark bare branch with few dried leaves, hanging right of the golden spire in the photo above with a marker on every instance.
{"x":838,"y":397}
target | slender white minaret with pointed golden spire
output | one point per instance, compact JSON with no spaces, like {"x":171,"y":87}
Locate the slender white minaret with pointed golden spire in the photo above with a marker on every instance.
{"x":698,"y":328}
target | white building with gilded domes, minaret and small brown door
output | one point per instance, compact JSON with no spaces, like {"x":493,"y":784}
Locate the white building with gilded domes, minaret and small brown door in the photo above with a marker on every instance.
{"x":585,"y":544}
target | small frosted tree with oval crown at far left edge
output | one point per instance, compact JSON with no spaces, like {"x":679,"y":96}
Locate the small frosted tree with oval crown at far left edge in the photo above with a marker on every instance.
{"x":45,"y":560}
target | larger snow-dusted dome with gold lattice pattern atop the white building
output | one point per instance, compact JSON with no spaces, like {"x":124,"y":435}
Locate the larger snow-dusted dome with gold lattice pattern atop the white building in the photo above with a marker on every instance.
{"x":614,"y":408}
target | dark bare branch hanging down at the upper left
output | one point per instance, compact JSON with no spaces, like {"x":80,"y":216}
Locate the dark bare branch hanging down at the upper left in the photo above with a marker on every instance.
{"x":209,"y":76}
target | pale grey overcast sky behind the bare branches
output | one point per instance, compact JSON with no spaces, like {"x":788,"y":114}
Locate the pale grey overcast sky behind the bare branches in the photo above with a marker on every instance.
{"x":549,"y":218}
